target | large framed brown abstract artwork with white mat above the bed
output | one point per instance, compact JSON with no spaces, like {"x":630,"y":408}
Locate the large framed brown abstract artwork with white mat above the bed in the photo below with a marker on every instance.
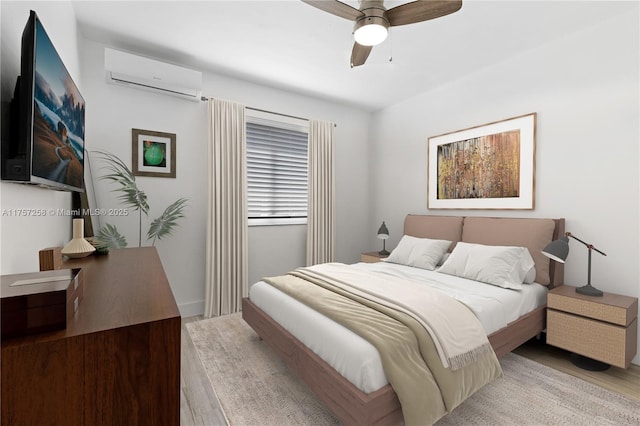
{"x":491,"y":166}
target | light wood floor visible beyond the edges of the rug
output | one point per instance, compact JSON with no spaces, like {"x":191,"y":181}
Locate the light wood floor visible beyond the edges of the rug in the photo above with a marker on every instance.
{"x":199,"y":404}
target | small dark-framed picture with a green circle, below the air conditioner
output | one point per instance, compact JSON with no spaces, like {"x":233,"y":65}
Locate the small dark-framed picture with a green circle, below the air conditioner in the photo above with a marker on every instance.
{"x":154,"y":153}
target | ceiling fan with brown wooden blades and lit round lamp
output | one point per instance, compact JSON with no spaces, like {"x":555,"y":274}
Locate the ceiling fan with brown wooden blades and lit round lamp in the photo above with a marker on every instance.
{"x":372,"y":20}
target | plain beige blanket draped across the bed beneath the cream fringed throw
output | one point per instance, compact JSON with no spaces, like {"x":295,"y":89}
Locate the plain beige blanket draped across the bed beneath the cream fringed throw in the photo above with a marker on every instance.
{"x":426,"y":389}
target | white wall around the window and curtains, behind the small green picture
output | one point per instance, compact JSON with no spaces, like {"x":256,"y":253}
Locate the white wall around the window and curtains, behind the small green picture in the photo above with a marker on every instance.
{"x":112,"y":111}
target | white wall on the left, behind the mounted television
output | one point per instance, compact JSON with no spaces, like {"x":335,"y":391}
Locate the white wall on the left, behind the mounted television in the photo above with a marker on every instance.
{"x":23,"y":236}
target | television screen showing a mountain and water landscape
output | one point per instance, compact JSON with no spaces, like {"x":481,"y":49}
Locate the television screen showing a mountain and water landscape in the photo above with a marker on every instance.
{"x":58,"y":119}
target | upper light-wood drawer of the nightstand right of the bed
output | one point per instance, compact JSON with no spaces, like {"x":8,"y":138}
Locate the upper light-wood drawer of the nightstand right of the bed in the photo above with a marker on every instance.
{"x":614,"y":309}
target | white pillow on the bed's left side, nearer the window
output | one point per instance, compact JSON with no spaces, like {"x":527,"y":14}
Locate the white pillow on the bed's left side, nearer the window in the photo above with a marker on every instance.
{"x":421,"y":253}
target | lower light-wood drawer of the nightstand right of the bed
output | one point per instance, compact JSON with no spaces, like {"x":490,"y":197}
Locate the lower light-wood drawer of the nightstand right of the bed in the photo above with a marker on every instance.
{"x":605,"y":342}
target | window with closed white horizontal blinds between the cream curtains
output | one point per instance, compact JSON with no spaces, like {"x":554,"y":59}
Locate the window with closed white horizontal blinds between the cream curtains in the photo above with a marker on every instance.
{"x":277,"y":165}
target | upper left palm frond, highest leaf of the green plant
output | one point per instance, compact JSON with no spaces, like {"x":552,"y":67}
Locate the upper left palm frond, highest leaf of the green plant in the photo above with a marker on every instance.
{"x":121,"y":175}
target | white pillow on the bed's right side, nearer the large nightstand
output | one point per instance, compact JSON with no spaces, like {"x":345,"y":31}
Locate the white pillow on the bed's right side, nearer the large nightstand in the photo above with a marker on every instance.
{"x":503,"y":266}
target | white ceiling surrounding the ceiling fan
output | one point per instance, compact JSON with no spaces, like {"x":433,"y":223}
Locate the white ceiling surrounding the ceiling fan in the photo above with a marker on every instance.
{"x":293,"y":46}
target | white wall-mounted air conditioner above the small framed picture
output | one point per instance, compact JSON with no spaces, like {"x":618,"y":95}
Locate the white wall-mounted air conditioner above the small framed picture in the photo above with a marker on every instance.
{"x":147,"y":74}
